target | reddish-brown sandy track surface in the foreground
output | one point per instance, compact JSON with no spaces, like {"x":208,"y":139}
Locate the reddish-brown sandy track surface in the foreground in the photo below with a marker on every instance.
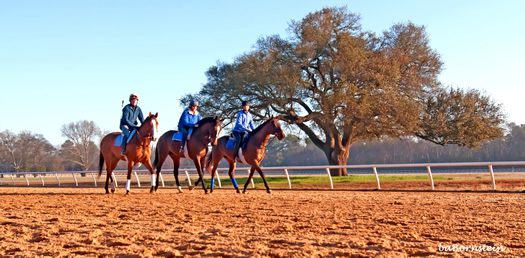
{"x":85,"y":222}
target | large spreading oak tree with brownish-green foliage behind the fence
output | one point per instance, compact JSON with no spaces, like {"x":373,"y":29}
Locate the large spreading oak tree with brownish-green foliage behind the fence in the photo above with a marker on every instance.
{"x":340,"y":84}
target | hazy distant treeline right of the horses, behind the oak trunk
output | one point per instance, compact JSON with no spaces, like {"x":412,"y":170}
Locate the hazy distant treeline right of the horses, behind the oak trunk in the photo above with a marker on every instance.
{"x":405,"y":150}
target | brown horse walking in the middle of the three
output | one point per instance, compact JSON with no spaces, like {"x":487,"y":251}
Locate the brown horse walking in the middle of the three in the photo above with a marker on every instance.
{"x":197,"y":147}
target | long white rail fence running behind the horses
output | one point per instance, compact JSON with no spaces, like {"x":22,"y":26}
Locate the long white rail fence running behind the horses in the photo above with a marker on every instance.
{"x":286,"y":170}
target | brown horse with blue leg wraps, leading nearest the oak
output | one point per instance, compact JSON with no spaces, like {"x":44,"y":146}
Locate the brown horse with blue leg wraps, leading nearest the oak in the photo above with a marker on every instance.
{"x":252,"y":151}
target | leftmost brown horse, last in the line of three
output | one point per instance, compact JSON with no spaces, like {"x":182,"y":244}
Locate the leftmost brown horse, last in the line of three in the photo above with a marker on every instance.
{"x":138,"y":151}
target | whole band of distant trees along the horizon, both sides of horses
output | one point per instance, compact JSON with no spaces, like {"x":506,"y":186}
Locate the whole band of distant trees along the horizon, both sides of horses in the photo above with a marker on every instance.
{"x":32,"y":152}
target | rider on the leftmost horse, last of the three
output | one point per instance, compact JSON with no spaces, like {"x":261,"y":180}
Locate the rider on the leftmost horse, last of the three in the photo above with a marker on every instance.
{"x":130,"y":113}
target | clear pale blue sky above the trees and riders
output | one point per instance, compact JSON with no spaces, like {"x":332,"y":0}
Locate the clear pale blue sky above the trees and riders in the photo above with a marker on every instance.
{"x":65,"y":61}
